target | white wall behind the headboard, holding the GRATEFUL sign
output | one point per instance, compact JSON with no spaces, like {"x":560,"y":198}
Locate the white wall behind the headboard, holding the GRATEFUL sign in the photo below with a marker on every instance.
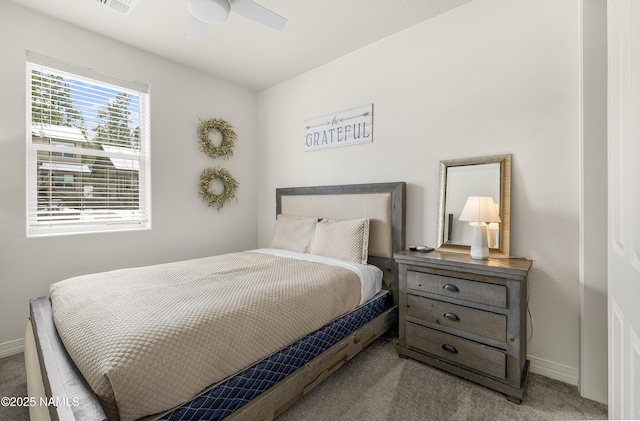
{"x":490,"y":77}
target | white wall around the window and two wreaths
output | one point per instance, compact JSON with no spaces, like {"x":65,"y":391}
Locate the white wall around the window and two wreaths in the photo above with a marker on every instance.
{"x":182,"y":225}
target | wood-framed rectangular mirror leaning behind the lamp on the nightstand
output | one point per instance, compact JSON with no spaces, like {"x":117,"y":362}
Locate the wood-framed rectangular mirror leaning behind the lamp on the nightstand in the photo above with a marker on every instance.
{"x":479,"y":176}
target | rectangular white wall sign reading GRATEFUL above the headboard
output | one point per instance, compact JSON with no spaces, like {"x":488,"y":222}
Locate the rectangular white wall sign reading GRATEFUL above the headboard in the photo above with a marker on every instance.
{"x":343,"y":128}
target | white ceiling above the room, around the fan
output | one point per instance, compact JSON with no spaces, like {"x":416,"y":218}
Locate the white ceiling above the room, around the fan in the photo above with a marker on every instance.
{"x":243,"y":51}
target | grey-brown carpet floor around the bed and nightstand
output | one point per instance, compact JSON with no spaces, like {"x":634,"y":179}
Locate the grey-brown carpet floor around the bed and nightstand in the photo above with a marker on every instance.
{"x":378,"y":385}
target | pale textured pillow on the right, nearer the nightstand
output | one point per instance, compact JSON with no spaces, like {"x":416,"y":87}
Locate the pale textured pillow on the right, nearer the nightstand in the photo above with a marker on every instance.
{"x":345,"y":240}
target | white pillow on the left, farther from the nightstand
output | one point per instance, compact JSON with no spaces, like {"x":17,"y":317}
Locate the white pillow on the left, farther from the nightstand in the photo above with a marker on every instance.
{"x":293,"y":233}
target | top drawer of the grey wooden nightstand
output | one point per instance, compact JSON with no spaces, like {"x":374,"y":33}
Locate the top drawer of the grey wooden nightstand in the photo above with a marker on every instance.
{"x":464,"y":289}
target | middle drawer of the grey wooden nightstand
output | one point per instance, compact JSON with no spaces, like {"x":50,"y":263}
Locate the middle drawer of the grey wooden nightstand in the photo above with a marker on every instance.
{"x":479,"y":322}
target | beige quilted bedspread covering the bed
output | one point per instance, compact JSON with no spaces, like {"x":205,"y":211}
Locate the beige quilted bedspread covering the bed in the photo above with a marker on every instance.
{"x":149,"y":339}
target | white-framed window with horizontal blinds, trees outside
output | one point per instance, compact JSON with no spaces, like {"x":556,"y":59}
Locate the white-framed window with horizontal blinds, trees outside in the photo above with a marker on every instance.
{"x":87,"y":150}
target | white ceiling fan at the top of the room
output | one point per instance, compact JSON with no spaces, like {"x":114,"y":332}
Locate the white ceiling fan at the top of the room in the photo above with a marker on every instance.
{"x":204,"y":12}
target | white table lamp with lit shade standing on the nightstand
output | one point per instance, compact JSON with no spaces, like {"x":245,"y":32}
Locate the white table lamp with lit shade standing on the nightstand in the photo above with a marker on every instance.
{"x":479,"y":211}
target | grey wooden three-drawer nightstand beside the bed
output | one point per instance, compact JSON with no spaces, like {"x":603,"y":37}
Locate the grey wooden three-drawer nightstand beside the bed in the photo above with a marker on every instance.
{"x":466,"y":316}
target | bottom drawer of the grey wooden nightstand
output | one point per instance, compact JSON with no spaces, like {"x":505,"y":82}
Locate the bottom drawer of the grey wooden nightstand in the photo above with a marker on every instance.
{"x":459,"y":351}
